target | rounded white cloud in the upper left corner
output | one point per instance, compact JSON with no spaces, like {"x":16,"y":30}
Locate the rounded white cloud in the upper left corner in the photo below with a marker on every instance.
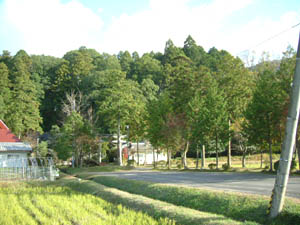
{"x":51,"y":27}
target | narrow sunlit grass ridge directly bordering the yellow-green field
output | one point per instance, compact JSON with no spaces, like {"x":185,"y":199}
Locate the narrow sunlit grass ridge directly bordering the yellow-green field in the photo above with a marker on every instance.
{"x":152,"y":207}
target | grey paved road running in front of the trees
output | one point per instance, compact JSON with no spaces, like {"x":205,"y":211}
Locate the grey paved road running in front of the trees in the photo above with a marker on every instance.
{"x":254,"y":183}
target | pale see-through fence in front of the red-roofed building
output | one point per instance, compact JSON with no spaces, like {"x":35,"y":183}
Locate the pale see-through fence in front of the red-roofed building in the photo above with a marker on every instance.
{"x":27,"y":169}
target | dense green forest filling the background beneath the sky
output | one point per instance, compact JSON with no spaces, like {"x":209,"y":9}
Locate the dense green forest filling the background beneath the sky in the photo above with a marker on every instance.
{"x":179,"y":100}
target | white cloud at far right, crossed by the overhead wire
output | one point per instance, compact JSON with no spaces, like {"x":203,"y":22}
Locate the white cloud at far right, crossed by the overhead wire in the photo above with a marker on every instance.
{"x":263,"y":34}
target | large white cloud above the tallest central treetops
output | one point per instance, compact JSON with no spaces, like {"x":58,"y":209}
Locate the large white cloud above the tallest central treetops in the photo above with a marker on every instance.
{"x":150,"y":29}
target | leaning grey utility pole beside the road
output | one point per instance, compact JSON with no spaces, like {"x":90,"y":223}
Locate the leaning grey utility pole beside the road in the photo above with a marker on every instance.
{"x":288,"y":144}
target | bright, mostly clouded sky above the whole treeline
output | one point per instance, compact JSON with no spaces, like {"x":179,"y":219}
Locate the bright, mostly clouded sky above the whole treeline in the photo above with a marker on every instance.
{"x":53,"y":27}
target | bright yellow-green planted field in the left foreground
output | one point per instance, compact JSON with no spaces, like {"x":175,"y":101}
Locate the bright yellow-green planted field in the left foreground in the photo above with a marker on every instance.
{"x":47,"y":203}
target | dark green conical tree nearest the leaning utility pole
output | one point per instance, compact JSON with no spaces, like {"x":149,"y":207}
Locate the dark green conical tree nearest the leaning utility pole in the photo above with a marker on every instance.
{"x":265,"y":112}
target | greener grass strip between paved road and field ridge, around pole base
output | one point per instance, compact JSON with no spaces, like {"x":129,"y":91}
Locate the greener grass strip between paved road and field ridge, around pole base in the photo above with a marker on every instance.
{"x":240,"y":207}
